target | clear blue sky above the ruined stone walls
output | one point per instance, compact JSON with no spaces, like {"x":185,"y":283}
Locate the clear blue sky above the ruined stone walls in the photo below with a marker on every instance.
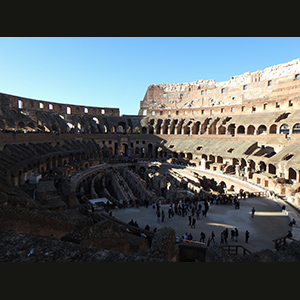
{"x":115,"y":72}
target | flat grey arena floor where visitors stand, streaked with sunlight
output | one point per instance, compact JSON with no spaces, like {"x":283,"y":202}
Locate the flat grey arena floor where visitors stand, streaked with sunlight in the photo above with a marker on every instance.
{"x":268,"y":223}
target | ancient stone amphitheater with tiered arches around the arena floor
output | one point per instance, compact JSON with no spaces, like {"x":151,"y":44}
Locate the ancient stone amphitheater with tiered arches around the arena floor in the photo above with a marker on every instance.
{"x":189,"y":141}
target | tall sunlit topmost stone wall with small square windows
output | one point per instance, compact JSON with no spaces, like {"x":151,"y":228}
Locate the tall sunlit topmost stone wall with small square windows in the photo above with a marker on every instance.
{"x":268,"y":88}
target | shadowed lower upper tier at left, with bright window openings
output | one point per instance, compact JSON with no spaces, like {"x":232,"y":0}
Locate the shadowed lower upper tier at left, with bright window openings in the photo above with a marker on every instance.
{"x":19,"y":113}
